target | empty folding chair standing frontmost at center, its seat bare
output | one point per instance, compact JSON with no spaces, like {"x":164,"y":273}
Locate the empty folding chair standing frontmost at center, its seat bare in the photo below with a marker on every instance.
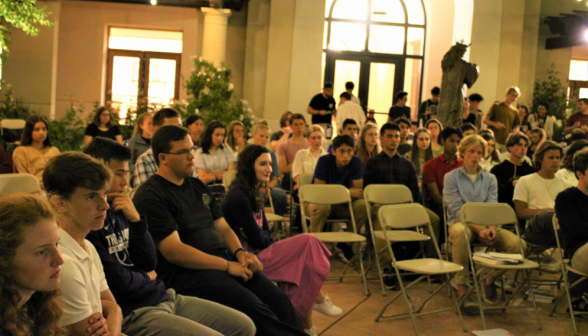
{"x":402,"y":217}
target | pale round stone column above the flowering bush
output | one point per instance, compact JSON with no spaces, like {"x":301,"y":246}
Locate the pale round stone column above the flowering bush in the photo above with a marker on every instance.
{"x":214,"y":42}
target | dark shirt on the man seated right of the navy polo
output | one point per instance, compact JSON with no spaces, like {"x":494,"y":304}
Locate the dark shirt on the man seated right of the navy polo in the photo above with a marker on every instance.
{"x":382,"y":169}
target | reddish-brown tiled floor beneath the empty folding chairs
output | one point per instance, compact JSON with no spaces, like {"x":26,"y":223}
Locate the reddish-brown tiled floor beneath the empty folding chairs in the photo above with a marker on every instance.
{"x":361,"y":321}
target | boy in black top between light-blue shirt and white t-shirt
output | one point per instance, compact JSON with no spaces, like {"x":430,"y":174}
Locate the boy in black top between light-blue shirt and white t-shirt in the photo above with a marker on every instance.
{"x":509,"y":171}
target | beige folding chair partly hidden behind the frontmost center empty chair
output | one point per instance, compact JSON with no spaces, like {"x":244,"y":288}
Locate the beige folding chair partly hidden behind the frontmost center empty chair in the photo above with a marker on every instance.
{"x":383,"y":194}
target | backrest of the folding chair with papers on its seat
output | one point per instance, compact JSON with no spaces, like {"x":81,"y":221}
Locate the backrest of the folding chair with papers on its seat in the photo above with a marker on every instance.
{"x":488,"y":214}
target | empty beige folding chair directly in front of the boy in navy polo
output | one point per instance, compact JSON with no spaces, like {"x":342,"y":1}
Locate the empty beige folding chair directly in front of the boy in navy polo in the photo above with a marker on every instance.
{"x":331,"y":194}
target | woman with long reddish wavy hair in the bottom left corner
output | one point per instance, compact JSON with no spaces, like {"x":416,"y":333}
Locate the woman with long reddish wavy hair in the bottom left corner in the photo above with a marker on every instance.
{"x":30,"y":263}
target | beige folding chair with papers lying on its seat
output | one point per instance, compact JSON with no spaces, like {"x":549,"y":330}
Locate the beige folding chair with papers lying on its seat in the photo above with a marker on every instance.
{"x":496,"y":214}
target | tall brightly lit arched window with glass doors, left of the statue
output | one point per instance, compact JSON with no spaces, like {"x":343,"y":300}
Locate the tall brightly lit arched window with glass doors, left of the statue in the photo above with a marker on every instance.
{"x":378,"y":45}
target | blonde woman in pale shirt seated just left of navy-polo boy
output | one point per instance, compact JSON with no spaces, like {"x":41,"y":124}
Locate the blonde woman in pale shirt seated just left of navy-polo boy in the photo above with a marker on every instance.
{"x":306,"y":159}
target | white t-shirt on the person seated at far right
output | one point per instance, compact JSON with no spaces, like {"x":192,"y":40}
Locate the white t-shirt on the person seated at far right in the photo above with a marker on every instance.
{"x":539,"y":193}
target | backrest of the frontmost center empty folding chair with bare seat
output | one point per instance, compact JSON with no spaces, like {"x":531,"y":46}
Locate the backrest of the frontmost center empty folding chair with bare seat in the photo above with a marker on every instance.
{"x":403,"y":216}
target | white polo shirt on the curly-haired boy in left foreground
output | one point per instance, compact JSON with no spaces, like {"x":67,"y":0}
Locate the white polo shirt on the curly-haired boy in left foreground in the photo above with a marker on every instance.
{"x":82,"y":280}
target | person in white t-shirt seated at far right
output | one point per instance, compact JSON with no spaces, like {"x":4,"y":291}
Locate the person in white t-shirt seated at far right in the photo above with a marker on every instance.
{"x":534,"y":195}
